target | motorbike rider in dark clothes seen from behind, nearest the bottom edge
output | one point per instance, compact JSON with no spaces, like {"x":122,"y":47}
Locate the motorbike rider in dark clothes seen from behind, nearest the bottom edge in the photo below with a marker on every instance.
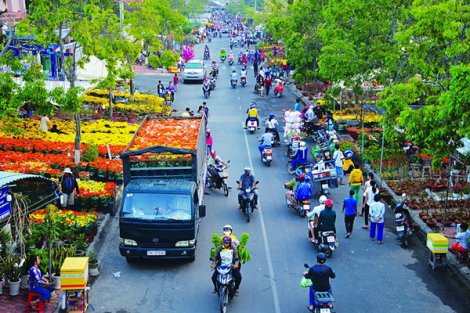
{"x":320,"y":275}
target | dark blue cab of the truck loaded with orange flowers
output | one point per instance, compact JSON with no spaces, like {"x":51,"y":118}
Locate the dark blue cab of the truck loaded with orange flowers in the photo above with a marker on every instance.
{"x":159,"y":219}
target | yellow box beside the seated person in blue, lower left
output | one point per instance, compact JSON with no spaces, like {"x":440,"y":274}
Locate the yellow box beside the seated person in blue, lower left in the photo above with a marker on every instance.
{"x":74,"y":273}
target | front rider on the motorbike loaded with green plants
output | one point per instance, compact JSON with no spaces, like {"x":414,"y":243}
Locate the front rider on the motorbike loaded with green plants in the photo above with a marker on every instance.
{"x":227,"y":252}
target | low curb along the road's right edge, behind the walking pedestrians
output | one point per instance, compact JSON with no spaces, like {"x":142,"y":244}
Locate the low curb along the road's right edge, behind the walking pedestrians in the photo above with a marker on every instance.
{"x":462,"y":271}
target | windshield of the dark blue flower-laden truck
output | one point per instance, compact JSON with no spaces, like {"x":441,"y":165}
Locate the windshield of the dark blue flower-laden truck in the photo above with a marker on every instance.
{"x":146,"y":206}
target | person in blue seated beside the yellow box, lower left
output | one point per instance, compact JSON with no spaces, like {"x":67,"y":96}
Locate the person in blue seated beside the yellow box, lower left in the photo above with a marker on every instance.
{"x":39,"y":284}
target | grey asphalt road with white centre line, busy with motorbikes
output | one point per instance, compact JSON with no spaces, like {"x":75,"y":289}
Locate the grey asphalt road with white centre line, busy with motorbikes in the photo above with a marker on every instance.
{"x":370,"y":278}
